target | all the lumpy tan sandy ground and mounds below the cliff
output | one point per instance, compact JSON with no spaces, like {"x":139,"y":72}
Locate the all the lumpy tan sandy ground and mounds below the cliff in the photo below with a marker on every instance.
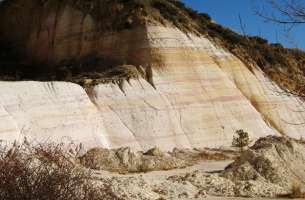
{"x":270,"y":168}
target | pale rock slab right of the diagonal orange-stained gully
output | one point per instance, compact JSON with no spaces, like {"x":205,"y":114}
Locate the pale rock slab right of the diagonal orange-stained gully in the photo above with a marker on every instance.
{"x":283,"y":112}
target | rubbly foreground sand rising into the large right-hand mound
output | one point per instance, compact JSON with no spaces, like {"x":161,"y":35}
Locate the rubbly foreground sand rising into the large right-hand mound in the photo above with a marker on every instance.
{"x":270,"y":168}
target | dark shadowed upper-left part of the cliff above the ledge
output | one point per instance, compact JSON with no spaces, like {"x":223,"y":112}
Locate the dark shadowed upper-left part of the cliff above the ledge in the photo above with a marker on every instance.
{"x":69,"y":30}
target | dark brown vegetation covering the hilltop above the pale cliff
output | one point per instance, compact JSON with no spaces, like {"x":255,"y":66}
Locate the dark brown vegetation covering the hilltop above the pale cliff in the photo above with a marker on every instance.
{"x":284,"y":66}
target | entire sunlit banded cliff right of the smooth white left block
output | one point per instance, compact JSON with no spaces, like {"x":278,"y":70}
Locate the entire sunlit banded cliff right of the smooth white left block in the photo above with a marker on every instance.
{"x":200,"y":87}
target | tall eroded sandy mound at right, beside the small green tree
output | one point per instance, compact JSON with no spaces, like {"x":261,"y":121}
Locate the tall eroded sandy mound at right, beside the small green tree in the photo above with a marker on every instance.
{"x":269,"y":168}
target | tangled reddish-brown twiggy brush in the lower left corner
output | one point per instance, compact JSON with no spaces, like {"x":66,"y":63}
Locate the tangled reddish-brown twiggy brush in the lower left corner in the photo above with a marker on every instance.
{"x":45,"y":172}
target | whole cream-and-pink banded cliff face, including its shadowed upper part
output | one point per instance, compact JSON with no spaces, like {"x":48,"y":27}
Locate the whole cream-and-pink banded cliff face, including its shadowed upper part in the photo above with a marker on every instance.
{"x":196,"y":93}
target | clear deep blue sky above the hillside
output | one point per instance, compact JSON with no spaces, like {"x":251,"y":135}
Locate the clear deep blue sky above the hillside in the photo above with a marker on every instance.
{"x":226,"y":12}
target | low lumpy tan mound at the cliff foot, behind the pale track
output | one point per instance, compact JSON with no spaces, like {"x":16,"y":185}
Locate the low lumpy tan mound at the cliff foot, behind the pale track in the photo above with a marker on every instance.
{"x":124,"y":160}
